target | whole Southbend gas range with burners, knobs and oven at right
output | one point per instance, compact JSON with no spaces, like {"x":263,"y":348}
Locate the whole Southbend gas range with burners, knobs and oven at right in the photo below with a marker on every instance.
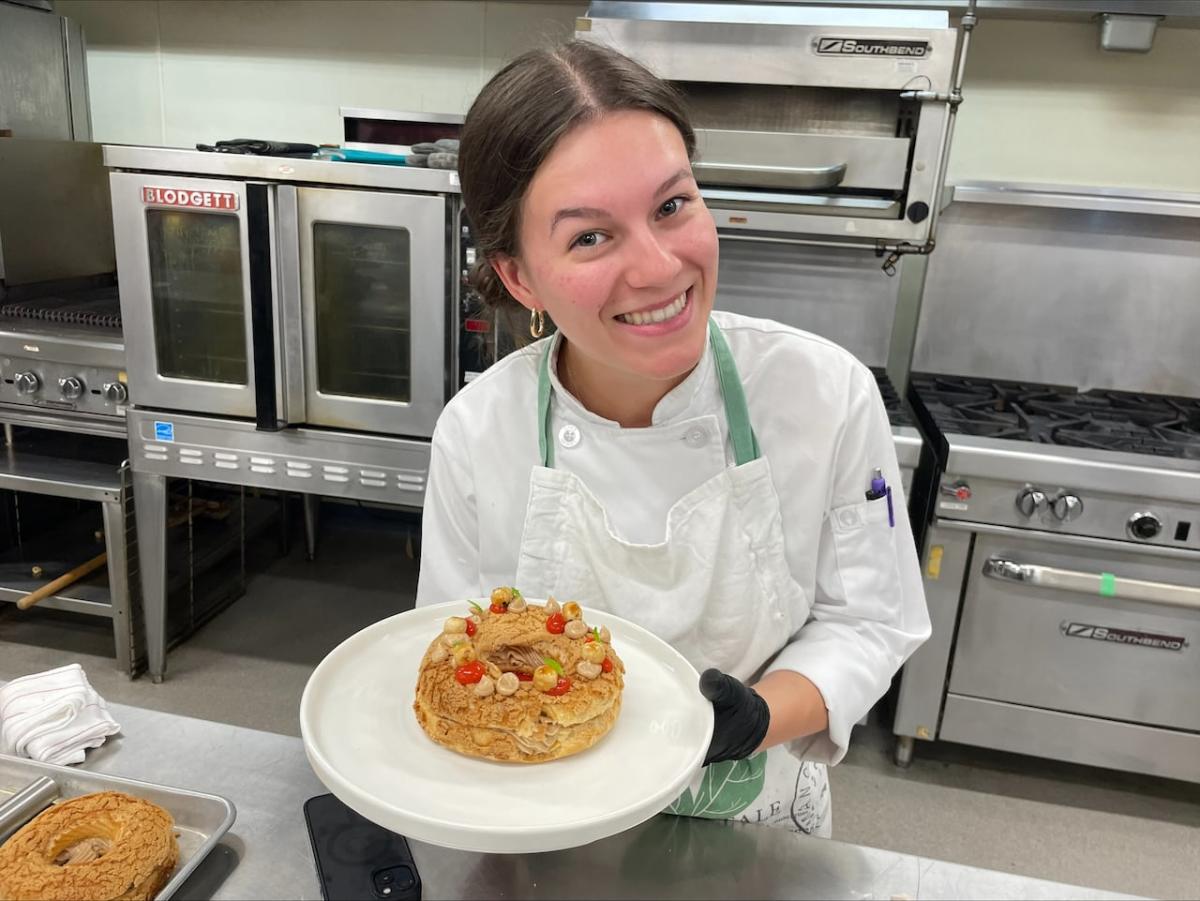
{"x":1061,"y":567}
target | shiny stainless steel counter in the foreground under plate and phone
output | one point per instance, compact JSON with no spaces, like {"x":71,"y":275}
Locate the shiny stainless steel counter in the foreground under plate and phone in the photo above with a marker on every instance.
{"x":267,"y":854}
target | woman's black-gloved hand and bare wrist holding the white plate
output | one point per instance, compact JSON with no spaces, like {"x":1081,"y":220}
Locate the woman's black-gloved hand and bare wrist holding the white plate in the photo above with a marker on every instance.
{"x":782,"y":707}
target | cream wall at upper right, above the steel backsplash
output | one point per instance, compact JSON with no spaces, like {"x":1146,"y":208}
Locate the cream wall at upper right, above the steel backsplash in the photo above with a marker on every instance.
{"x":1043,"y":103}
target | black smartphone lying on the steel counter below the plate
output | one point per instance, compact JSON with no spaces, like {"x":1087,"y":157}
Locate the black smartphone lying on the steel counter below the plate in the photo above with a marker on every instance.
{"x":358,"y":861}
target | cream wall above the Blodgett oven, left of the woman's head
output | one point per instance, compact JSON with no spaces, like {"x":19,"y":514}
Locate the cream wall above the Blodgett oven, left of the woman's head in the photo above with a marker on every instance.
{"x":178,"y":73}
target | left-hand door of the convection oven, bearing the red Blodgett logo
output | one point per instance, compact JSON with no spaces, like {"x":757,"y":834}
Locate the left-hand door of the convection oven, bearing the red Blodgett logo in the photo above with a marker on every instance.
{"x":196,"y":274}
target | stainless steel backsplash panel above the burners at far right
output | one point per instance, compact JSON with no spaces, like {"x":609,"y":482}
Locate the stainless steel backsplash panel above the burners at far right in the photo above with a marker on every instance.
{"x":1064,"y":297}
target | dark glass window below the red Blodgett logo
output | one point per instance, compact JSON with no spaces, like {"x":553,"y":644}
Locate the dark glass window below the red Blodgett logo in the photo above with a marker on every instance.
{"x":199,"y":297}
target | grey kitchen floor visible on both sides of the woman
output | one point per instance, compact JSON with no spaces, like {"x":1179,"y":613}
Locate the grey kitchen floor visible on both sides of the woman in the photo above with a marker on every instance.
{"x":249,"y":668}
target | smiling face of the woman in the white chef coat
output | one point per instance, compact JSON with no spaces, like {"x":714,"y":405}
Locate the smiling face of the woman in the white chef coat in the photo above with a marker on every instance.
{"x":617,"y":247}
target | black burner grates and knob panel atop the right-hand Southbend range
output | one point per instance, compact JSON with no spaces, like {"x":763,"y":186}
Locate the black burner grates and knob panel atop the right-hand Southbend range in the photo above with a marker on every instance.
{"x":1103,"y":464}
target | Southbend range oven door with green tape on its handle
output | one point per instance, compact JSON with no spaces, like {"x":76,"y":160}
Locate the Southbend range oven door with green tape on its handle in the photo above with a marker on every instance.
{"x":1085,"y":629}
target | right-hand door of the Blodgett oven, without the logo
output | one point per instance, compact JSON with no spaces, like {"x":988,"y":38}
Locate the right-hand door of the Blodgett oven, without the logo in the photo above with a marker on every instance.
{"x":375,"y":303}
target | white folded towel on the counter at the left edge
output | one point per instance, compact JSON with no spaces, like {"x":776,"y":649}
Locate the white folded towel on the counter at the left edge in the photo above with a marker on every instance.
{"x":53,"y":717}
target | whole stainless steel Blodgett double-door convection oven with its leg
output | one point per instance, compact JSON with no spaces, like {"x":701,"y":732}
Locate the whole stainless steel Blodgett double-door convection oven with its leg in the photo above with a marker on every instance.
{"x":292,"y":325}
